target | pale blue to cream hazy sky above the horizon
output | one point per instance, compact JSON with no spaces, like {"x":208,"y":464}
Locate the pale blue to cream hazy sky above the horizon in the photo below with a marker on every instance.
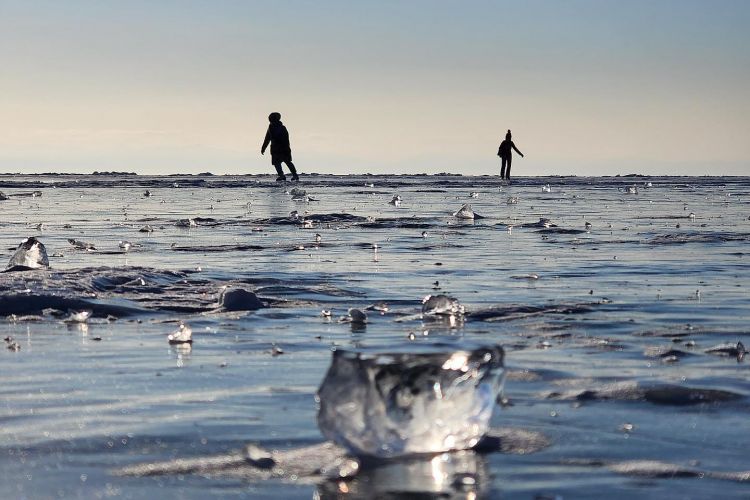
{"x":594,"y":87}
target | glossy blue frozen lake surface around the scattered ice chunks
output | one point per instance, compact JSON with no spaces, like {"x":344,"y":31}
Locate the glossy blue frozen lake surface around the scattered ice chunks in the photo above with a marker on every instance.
{"x":617,"y":335}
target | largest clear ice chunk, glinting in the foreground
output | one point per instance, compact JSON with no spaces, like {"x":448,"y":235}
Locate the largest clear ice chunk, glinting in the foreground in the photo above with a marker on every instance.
{"x":418,"y":399}
